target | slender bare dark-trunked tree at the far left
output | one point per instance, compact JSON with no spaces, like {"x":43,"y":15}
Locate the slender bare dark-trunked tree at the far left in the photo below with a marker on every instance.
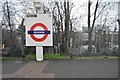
{"x":10,"y":23}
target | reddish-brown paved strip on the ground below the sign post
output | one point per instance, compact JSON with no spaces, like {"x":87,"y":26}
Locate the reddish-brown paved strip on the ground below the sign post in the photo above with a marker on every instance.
{"x":32,"y":69}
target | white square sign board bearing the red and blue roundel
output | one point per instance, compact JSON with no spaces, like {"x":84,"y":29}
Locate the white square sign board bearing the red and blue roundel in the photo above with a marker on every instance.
{"x":39,"y":30}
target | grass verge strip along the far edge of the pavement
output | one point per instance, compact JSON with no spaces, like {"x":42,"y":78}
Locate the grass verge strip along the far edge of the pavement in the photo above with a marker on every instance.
{"x":32,"y":56}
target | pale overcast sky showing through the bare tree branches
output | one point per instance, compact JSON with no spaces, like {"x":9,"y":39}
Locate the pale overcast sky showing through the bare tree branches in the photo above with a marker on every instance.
{"x":80,"y":9}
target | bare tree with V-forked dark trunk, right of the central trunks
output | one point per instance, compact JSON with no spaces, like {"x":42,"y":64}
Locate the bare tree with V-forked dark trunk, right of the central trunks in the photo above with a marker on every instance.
{"x":100,"y":8}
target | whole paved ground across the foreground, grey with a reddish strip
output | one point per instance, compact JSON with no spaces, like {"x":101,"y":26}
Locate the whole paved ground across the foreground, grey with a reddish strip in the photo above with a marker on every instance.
{"x":93,"y":68}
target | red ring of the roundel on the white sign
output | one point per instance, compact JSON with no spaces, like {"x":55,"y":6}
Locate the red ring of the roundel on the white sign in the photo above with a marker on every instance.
{"x":38,"y":25}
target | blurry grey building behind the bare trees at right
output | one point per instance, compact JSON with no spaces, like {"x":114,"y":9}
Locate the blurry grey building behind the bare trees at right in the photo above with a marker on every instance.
{"x":102,"y":37}
